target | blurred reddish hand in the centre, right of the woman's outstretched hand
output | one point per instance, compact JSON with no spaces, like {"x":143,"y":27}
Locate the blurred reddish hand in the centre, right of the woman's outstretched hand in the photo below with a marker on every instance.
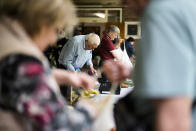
{"x":116,"y":71}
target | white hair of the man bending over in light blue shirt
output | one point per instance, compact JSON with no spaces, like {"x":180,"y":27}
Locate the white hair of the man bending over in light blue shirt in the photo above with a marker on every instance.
{"x":93,"y":38}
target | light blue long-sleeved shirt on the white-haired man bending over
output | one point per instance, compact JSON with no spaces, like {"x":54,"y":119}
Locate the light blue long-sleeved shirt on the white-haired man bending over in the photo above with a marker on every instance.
{"x":74,"y":54}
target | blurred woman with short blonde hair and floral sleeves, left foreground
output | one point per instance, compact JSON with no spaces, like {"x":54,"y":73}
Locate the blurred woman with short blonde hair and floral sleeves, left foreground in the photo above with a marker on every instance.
{"x":29,"y":95}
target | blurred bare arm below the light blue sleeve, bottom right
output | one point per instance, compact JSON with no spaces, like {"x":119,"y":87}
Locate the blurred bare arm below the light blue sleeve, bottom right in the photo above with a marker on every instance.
{"x":174,"y":114}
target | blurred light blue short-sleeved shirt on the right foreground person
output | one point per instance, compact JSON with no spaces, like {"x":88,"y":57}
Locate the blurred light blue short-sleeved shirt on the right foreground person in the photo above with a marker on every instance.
{"x":166,"y":55}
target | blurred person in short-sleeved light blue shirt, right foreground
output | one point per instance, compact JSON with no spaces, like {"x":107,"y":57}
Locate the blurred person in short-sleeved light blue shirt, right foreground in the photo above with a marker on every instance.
{"x":165,"y":69}
